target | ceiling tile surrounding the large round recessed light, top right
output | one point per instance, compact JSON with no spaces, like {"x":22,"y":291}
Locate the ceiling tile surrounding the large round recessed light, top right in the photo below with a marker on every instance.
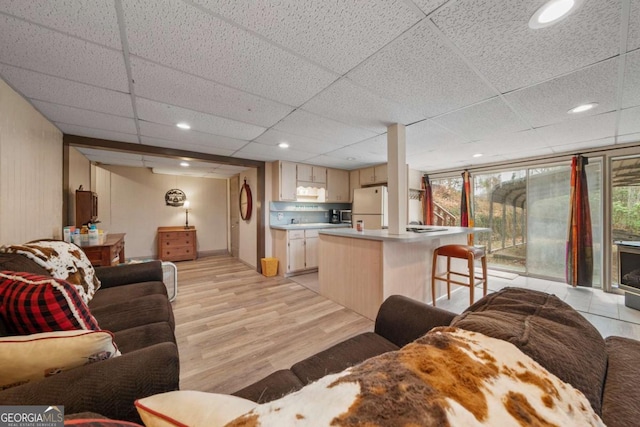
{"x":495,"y":36}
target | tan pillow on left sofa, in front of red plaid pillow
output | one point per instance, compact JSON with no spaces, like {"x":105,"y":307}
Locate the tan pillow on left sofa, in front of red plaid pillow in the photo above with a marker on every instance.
{"x":26,"y":358}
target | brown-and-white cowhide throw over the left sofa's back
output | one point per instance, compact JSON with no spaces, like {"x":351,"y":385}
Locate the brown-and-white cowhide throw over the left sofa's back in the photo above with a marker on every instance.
{"x":62,"y":260}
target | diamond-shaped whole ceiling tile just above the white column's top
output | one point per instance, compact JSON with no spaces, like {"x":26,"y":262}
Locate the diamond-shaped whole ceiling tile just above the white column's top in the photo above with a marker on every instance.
{"x":419,"y":71}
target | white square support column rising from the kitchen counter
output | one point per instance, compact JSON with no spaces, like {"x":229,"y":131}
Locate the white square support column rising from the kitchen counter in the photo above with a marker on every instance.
{"x":397,"y":169}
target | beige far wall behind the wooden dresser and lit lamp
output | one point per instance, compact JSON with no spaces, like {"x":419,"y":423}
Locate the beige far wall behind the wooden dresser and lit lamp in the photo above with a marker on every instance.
{"x":131,"y":201}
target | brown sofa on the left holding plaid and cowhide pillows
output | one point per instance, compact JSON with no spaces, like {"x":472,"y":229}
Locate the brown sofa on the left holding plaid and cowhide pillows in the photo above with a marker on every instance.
{"x":132,"y":303}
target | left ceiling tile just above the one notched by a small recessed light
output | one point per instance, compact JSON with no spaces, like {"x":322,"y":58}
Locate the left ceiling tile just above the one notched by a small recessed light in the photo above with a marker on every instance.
{"x":166,"y":85}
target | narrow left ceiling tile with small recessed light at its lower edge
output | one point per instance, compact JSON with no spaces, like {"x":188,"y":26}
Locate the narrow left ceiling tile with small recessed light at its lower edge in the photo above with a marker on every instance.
{"x":157,"y":112}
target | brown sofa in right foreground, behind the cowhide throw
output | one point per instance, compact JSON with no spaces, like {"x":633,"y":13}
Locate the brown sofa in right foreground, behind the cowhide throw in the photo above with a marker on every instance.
{"x":607,"y":370}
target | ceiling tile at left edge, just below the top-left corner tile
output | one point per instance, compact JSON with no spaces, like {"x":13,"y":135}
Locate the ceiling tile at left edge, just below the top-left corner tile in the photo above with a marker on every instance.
{"x":35,"y":48}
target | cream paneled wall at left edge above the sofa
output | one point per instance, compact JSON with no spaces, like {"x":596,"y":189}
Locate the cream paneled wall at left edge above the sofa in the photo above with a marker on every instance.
{"x":30,"y":172}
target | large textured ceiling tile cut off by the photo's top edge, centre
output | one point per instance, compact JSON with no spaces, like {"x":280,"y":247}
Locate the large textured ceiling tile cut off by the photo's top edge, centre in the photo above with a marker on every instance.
{"x":337,"y":35}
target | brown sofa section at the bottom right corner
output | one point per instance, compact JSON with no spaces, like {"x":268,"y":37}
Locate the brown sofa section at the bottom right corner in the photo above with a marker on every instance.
{"x":621,"y":397}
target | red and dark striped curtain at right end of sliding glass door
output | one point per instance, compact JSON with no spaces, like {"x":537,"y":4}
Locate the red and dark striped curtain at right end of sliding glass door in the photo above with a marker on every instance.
{"x":579,"y":264}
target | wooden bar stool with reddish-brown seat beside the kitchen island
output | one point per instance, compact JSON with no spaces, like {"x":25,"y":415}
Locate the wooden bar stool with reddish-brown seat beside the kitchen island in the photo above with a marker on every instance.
{"x":470,"y":253}
